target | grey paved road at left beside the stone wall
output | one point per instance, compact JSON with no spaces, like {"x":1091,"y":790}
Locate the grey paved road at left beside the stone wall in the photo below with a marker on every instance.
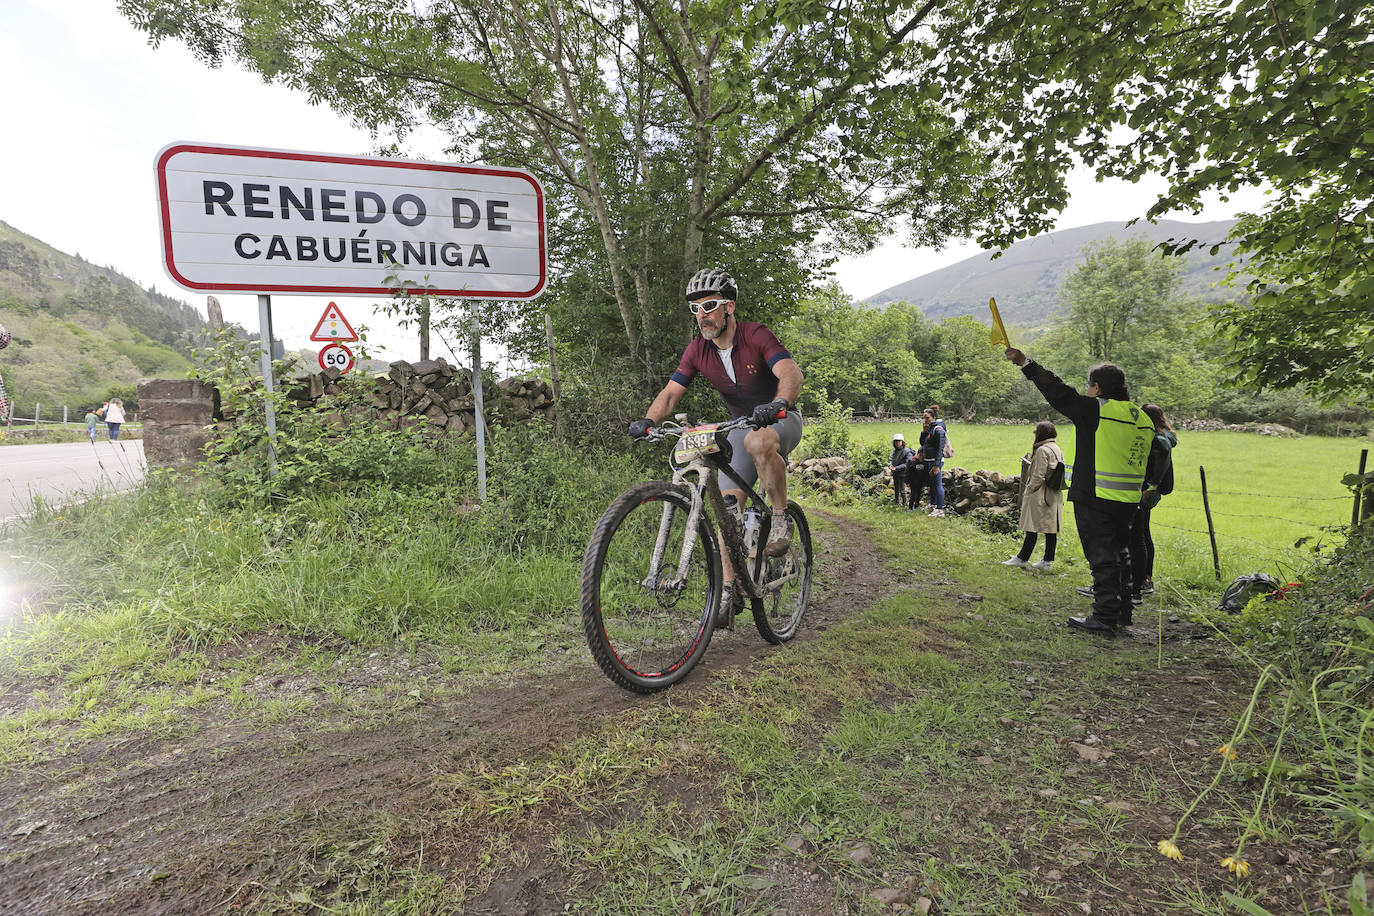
{"x":65,"y":472}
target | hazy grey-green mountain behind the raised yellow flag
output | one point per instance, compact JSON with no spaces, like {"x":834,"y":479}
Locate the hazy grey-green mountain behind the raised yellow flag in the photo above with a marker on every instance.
{"x":1027,"y":278}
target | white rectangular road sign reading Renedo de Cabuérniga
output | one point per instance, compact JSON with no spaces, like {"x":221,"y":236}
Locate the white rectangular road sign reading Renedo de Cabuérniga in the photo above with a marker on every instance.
{"x":241,"y":220}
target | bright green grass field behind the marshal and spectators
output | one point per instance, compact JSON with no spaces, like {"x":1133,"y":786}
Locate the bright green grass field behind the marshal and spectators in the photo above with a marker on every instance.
{"x":1266,"y":494}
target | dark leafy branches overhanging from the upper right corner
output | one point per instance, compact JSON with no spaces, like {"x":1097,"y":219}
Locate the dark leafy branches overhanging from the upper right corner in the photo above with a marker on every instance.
{"x":1217,"y":97}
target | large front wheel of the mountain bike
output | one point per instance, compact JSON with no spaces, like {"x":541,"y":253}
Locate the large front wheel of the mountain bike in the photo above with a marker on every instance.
{"x":649,"y":604}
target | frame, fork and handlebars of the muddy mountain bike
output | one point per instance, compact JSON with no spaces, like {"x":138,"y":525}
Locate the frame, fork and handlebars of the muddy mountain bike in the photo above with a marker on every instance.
{"x":706,"y":466}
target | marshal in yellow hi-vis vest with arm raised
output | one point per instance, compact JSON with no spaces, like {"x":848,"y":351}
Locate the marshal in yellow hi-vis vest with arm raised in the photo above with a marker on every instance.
{"x":1112,"y":442}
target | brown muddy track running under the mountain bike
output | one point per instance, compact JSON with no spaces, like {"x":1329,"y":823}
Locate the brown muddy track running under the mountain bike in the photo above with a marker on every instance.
{"x":145,"y":826}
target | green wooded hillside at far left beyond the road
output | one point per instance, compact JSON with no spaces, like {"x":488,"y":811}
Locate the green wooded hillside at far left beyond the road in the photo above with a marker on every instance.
{"x":83,"y":330}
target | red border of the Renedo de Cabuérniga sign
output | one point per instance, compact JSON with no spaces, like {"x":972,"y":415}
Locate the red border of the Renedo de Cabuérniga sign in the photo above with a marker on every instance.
{"x":166,"y":211}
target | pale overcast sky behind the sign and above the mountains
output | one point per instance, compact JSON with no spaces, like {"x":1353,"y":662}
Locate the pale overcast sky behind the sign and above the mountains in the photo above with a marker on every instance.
{"x":90,"y":105}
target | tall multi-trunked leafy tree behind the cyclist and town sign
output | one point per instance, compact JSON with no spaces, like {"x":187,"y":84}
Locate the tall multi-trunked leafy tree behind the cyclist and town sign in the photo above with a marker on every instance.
{"x":668,"y":135}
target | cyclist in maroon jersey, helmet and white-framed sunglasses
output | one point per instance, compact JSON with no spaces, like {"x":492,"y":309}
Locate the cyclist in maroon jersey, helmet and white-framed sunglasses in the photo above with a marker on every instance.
{"x":758,"y":378}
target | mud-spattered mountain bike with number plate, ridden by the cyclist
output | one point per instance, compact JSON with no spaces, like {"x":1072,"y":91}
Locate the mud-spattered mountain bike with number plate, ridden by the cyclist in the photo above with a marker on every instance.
{"x":653,"y":577}
